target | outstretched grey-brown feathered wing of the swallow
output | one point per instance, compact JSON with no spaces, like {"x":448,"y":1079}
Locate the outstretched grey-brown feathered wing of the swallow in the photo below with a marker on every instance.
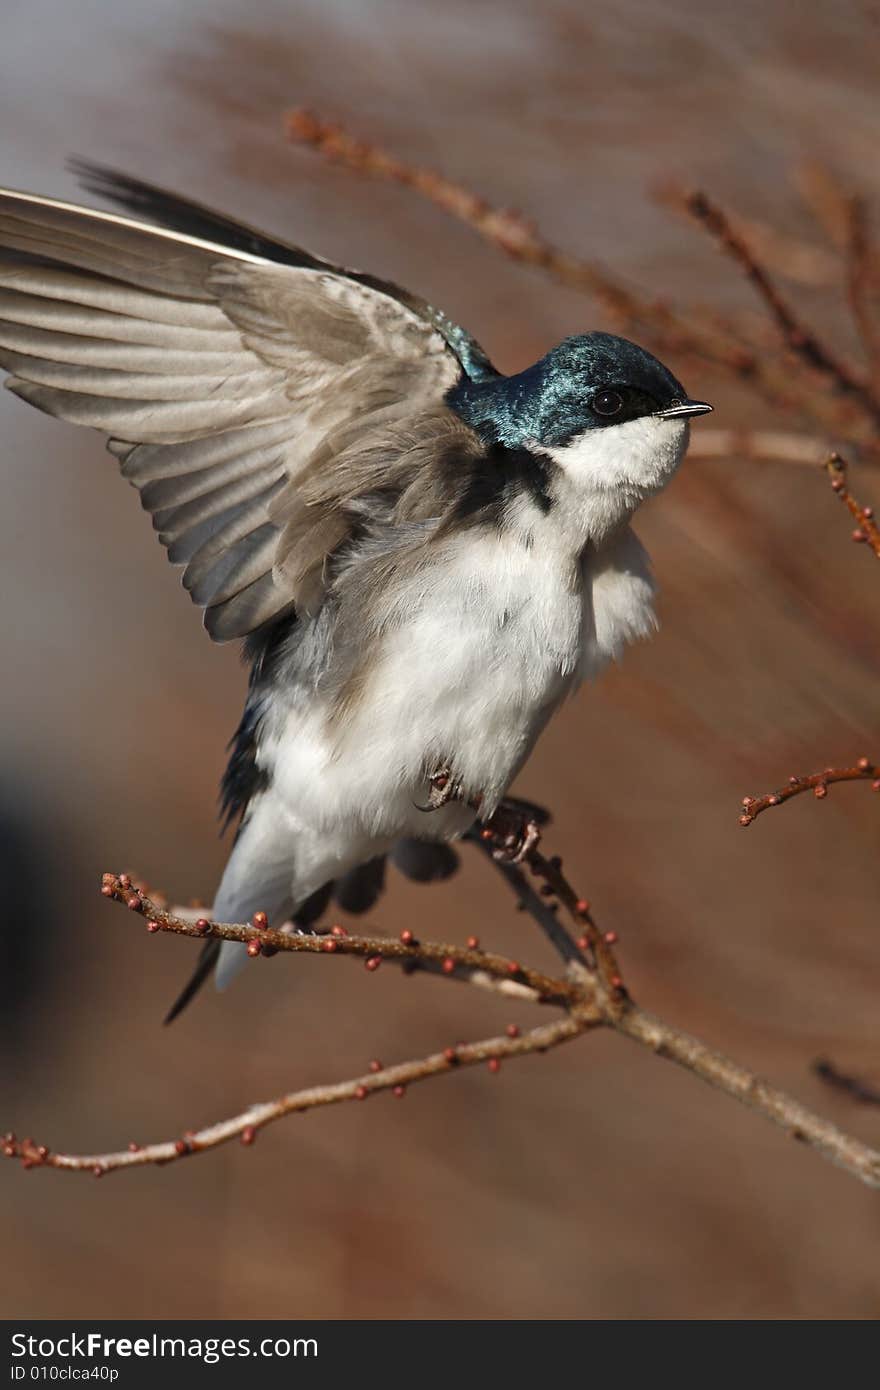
{"x":222,"y":366}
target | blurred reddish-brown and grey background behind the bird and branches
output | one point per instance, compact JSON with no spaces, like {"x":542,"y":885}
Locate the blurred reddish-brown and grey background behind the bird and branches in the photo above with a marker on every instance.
{"x":596,"y":1182}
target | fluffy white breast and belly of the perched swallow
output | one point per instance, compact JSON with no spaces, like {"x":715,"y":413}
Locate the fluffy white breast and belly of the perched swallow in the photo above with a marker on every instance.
{"x":478,"y":655}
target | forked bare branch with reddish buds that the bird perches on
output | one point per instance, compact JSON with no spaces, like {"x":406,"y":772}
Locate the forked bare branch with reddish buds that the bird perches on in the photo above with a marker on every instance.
{"x":592,"y":997}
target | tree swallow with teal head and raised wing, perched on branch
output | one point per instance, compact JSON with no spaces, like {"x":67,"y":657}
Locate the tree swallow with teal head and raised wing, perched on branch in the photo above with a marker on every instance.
{"x":423,"y":557}
